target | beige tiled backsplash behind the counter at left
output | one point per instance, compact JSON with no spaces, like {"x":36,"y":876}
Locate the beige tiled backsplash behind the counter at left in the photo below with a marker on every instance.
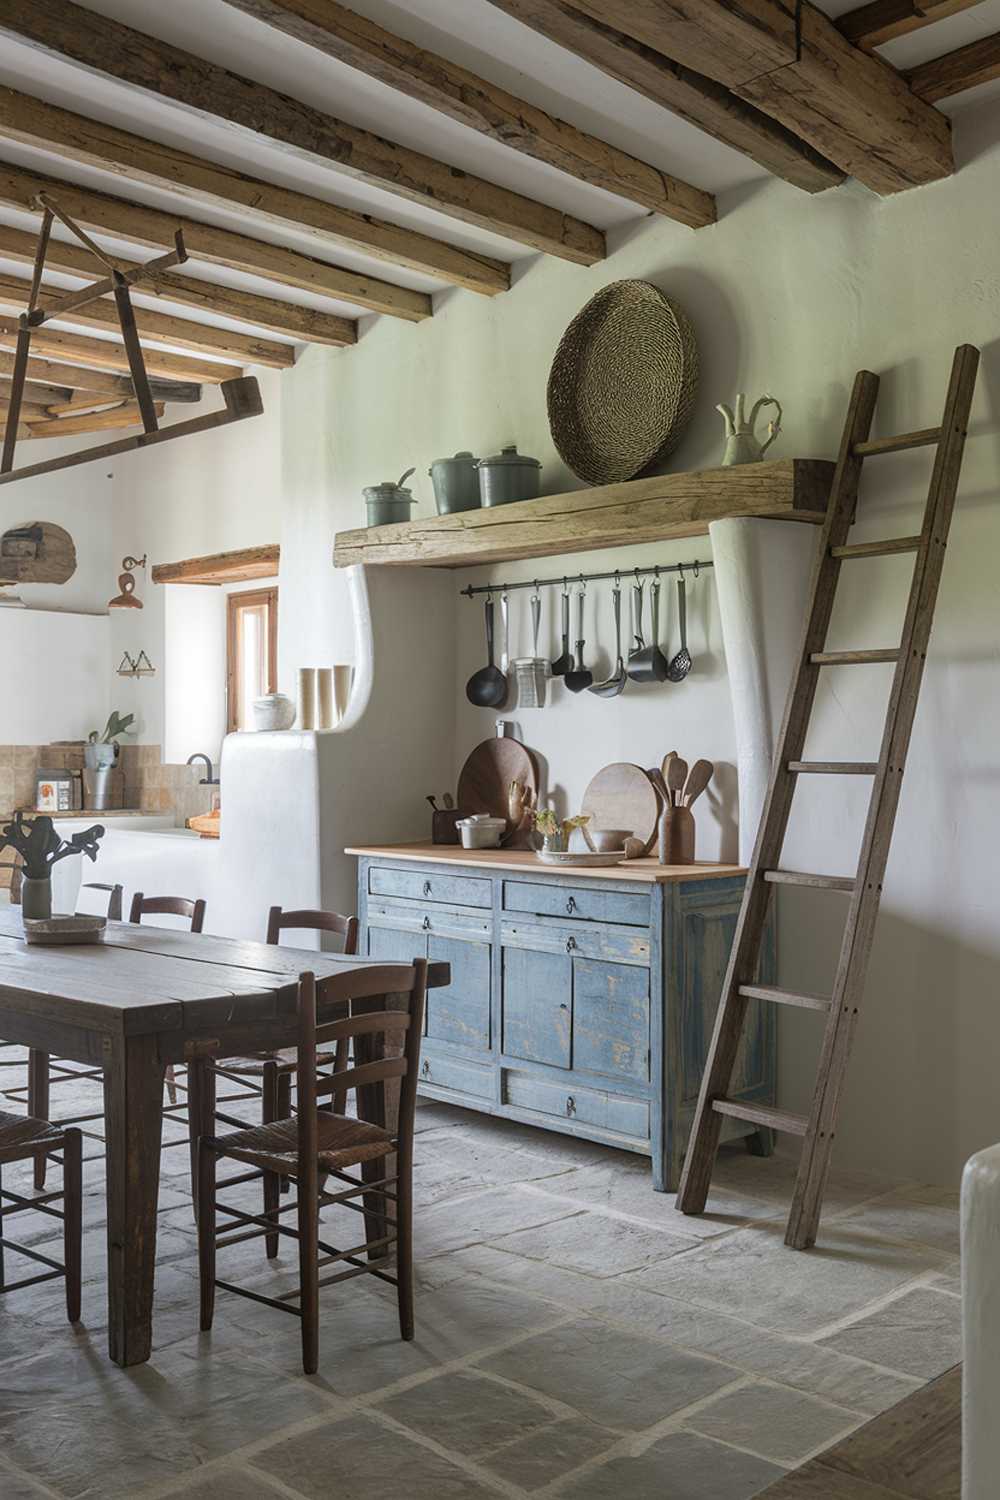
{"x":149,"y":787}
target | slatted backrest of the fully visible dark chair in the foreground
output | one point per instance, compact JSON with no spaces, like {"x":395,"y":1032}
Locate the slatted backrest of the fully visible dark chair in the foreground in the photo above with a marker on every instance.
{"x":385,"y":1021}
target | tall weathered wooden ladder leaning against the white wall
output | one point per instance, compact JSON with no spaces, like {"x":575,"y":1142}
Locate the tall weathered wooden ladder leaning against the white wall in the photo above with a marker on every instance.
{"x":864,"y":887}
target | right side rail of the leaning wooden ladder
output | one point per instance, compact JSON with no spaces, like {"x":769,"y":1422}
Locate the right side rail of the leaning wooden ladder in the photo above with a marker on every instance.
{"x":875,"y":851}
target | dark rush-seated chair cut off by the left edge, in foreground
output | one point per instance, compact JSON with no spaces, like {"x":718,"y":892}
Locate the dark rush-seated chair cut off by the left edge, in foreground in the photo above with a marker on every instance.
{"x":23,"y":1139}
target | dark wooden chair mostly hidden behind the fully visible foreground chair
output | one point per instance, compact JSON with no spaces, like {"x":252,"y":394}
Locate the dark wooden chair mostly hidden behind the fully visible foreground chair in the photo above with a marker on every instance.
{"x":277,"y":1070}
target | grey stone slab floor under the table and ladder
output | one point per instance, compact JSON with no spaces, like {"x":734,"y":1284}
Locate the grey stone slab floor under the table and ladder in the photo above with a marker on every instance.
{"x":576,"y":1339}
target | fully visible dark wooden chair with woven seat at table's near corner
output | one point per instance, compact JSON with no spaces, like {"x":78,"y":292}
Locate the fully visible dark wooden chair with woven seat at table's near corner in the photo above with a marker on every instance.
{"x":320,"y":1142}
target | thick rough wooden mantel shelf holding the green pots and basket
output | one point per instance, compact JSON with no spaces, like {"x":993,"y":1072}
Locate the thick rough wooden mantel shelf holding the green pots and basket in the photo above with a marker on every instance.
{"x":584,"y":520}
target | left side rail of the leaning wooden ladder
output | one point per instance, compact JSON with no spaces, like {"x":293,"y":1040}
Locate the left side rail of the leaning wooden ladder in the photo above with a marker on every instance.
{"x":744,"y":956}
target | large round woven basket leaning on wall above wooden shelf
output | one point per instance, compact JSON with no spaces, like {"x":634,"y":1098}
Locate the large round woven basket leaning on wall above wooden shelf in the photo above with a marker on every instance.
{"x":623,"y":385}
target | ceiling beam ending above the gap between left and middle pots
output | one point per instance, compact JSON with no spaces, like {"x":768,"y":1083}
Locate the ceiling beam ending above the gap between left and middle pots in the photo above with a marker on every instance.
{"x":137,"y":223}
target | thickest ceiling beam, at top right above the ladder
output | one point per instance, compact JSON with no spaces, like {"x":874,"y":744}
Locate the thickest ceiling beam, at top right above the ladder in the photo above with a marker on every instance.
{"x":794,"y":65}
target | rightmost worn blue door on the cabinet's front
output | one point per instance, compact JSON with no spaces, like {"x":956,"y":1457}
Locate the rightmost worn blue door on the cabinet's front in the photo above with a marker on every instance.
{"x":611,"y":1019}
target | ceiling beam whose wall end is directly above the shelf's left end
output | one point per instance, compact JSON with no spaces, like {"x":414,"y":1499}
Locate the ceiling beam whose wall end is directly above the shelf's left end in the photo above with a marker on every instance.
{"x":224,"y":302}
